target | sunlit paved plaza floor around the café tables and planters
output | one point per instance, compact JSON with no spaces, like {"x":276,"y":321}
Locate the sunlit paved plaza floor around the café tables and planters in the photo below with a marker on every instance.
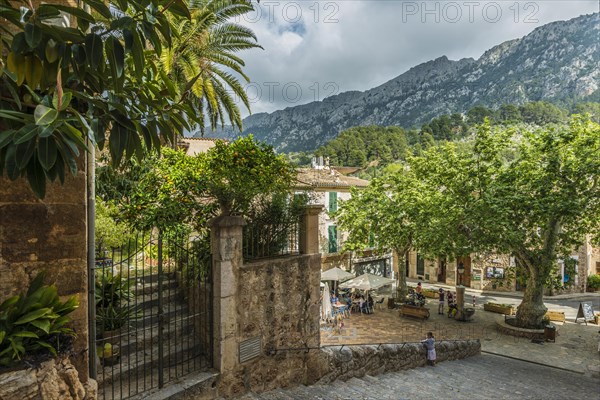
{"x":575,"y":349}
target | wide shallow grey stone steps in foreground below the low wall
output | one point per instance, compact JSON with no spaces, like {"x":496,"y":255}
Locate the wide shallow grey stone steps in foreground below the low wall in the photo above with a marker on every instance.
{"x":481,"y":377}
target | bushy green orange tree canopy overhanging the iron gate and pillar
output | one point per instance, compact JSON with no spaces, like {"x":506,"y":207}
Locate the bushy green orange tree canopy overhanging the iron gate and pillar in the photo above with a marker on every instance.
{"x":180,"y":189}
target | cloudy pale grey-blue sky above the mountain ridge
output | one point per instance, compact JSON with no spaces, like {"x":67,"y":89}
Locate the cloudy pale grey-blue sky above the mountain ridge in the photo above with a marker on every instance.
{"x":313,"y":49}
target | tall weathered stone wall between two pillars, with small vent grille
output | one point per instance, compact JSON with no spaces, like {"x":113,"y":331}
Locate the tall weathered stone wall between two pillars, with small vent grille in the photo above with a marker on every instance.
{"x":278,"y":300}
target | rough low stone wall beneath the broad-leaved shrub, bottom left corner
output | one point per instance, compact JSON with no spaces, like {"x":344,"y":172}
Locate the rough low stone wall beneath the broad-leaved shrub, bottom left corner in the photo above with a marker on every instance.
{"x":56,"y":379}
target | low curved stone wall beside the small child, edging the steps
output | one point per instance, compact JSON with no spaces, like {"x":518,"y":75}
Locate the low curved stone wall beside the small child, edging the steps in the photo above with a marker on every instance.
{"x":346,"y":362}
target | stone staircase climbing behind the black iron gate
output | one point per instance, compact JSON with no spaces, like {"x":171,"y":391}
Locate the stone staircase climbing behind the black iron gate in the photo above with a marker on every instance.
{"x":137,"y":370}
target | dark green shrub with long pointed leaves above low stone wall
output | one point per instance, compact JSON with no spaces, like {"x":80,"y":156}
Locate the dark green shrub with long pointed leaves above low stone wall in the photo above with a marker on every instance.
{"x":33,"y":323}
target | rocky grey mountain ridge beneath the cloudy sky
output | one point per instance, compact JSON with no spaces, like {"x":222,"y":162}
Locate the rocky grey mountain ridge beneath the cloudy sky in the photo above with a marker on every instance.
{"x":559,"y":61}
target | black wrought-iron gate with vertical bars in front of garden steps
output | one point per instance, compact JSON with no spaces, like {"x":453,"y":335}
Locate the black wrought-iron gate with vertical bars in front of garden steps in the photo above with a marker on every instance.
{"x":153,"y":314}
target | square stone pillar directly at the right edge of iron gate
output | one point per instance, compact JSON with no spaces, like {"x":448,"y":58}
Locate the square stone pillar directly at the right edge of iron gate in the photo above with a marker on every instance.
{"x":226,"y":247}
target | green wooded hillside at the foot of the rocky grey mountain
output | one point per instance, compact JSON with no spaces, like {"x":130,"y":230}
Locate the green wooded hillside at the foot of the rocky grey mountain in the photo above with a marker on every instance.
{"x":375,"y":147}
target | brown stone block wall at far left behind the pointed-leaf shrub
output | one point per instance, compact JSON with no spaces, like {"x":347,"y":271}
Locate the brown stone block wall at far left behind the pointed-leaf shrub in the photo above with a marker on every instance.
{"x":51,"y":236}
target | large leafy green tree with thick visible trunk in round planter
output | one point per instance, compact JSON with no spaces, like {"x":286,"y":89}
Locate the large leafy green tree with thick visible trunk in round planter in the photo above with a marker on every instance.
{"x":537,"y":206}
